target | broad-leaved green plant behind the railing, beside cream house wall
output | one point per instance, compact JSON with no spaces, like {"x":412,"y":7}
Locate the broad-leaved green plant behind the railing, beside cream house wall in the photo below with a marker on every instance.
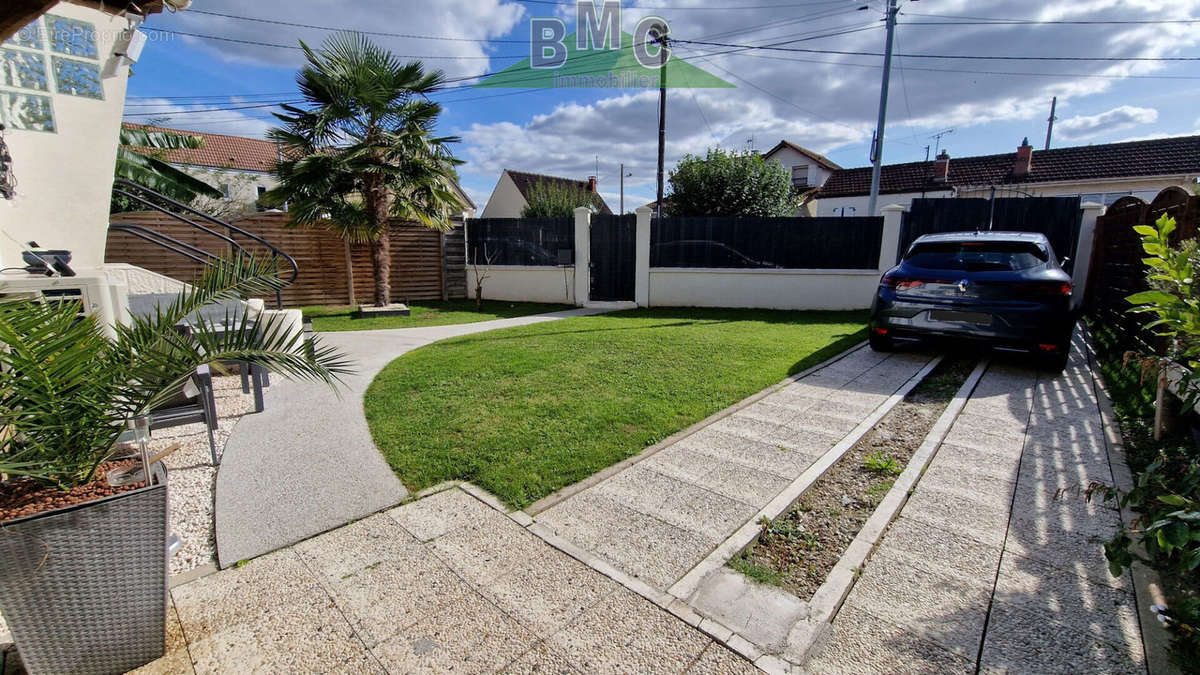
{"x":141,"y":159}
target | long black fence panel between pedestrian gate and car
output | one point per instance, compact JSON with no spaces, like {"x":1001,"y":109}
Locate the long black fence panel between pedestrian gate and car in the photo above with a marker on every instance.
{"x":766,"y":243}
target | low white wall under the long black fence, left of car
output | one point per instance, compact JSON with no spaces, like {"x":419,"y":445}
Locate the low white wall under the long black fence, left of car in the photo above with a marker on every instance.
{"x":765,"y":289}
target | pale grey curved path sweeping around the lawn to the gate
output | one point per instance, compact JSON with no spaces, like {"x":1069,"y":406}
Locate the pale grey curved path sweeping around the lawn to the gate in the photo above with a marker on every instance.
{"x":308,"y":463}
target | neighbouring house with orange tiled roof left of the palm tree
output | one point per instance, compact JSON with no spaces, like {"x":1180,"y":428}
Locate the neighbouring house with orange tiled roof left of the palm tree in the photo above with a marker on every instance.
{"x":241,"y":168}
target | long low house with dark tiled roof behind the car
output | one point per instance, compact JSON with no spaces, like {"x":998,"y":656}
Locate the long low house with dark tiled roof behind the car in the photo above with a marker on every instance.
{"x":1099,"y":174}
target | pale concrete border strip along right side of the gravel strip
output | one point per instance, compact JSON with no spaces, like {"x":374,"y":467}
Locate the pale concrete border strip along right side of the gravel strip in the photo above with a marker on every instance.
{"x":830,"y":596}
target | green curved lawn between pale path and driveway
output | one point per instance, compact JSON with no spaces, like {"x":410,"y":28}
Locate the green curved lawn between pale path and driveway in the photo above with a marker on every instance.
{"x":526,"y":411}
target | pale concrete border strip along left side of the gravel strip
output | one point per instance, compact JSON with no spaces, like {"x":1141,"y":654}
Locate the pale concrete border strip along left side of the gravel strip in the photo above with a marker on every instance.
{"x":745,"y":536}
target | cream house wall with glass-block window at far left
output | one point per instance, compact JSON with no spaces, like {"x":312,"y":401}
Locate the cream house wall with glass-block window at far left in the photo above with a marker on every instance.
{"x":63,"y":81}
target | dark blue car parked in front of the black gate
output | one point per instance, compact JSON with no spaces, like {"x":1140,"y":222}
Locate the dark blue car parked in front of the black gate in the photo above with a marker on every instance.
{"x":1003,"y":289}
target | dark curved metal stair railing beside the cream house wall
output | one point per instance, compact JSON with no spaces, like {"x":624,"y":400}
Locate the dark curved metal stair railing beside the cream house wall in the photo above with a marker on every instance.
{"x":155,"y":201}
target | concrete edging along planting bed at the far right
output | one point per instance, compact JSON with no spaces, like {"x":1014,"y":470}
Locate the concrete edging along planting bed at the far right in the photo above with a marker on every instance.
{"x":1147,"y":581}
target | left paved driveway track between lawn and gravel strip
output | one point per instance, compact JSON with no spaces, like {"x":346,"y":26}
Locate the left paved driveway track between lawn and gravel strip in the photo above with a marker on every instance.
{"x":671,"y":505}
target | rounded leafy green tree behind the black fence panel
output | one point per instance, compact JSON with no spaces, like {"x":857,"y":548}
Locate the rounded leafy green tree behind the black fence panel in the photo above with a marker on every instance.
{"x":730,"y":184}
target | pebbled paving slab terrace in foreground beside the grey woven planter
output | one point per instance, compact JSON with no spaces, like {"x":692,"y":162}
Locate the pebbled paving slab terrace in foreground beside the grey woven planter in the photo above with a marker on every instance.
{"x":483,"y":595}
